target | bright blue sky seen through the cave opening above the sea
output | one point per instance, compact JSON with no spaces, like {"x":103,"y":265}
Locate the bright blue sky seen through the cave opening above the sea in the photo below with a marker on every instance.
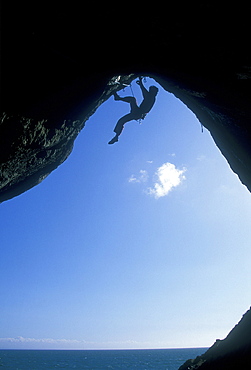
{"x":140,"y":244}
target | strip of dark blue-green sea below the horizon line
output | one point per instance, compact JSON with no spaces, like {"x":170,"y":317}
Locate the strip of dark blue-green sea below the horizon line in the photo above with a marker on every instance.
{"x":164,"y":359}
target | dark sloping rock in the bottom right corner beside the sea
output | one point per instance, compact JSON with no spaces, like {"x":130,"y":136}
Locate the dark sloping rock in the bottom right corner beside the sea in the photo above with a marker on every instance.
{"x":231,"y":353}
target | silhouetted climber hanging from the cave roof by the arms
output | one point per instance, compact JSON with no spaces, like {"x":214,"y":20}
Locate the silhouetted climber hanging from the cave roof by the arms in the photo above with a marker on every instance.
{"x":137,"y":112}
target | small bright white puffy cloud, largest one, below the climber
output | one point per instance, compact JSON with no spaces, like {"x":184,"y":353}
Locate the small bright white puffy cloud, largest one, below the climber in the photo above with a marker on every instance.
{"x":168,"y":177}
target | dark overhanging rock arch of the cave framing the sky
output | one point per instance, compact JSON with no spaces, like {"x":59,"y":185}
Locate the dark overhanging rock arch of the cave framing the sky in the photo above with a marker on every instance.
{"x":60,"y":62}
